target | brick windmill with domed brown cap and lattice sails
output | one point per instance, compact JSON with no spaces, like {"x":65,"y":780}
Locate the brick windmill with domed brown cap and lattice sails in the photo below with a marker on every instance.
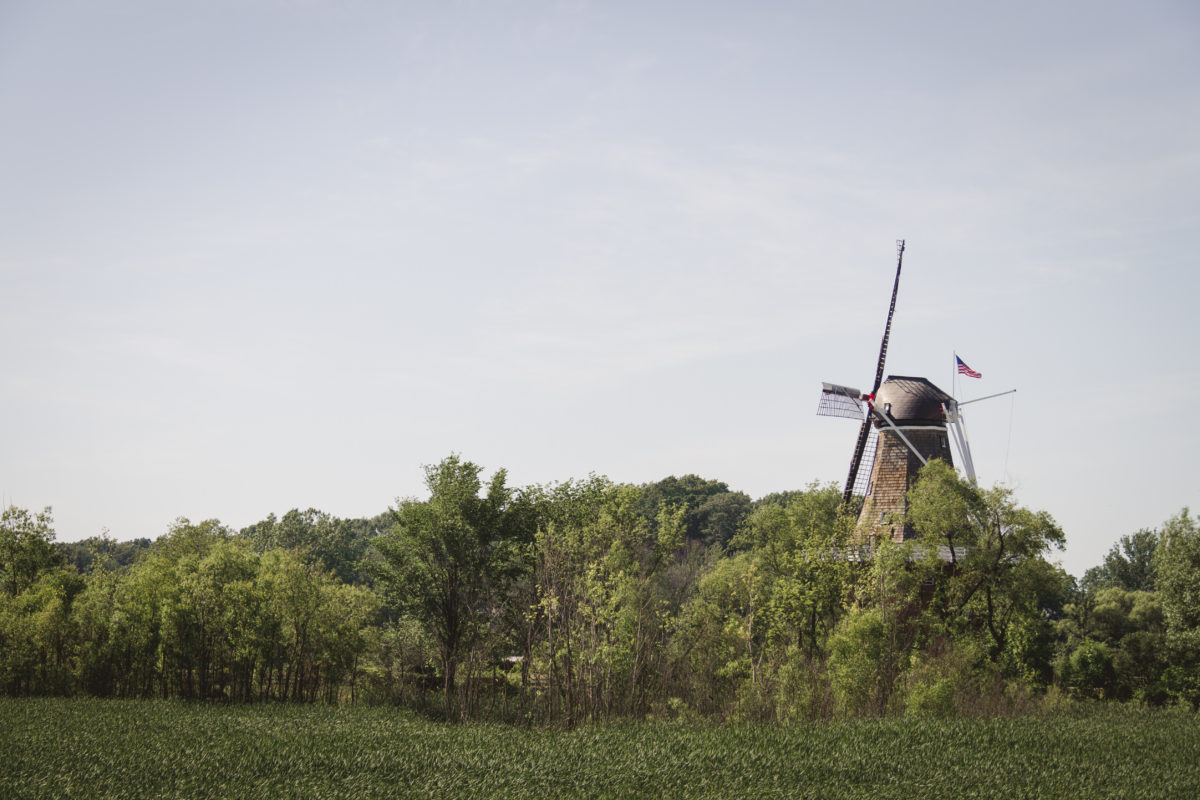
{"x":905,"y":423}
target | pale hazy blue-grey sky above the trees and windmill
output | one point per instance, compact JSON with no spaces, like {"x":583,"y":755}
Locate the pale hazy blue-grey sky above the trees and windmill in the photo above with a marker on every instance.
{"x":267,"y":255}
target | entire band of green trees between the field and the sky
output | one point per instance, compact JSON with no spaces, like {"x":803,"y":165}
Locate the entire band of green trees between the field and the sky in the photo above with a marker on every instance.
{"x":590,"y":600}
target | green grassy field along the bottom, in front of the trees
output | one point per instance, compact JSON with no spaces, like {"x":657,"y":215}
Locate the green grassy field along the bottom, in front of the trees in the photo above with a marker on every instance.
{"x":110,"y":749}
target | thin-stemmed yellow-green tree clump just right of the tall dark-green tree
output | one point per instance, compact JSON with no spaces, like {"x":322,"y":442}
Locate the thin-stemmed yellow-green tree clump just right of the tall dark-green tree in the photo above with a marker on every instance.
{"x":605,"y":600}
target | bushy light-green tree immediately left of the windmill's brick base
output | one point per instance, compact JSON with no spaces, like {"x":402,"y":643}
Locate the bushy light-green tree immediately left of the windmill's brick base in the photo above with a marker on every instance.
{"x":757,"y":630}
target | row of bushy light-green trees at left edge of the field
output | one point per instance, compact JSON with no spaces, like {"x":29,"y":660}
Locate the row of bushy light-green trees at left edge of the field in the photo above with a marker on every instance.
{"x":201,"y":616}
